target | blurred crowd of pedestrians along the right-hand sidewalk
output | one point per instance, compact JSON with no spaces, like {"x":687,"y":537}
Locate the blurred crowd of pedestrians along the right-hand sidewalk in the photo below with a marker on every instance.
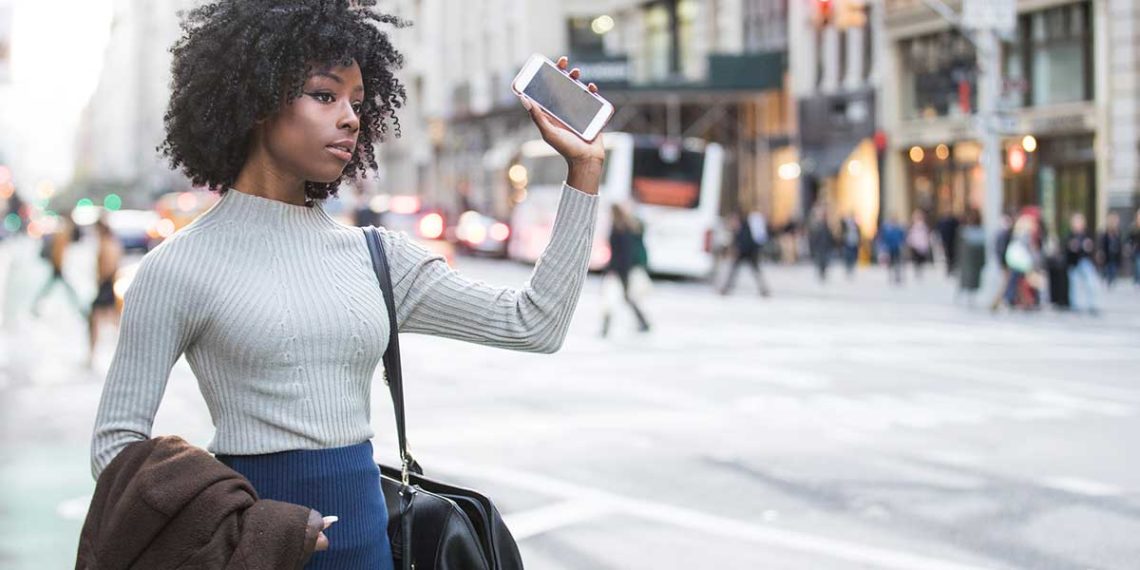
{"x":1070,"y":268}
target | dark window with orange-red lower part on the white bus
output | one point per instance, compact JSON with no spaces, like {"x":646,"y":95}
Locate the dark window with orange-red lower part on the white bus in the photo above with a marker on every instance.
{"x":662,"y":183}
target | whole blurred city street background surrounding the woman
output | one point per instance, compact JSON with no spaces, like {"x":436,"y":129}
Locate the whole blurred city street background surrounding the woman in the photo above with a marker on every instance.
{"x":885,"y":312}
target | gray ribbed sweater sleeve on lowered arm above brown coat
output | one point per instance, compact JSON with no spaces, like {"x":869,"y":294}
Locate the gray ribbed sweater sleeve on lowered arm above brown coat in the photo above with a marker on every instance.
{"x":154,"y":332}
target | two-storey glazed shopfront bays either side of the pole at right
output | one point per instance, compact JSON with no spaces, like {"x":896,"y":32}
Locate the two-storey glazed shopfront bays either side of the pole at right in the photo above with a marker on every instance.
{"x":1051,"y":121}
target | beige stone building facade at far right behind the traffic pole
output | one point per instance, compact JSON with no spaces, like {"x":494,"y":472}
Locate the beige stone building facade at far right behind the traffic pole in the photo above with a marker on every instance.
{"x":1069,"y":109}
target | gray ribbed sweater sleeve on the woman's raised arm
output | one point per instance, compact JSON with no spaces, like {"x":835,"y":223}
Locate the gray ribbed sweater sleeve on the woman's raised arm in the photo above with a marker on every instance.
{"x":434,"y":299}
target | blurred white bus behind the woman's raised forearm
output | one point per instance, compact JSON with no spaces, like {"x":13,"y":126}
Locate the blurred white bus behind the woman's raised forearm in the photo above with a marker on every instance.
{"x":674,"y":190}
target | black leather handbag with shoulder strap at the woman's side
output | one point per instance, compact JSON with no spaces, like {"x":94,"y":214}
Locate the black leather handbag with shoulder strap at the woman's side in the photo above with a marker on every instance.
{"x":433,"y":525}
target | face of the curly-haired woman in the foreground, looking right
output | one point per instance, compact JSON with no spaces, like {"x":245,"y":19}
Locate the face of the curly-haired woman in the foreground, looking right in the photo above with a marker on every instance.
{"x":314,"y":137}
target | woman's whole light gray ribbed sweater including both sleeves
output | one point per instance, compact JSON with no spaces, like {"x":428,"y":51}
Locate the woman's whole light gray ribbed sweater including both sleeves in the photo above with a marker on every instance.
{"x":281,"y":319}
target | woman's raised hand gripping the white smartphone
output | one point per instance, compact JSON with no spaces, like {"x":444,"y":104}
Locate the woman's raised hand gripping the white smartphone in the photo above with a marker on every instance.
{"x":583,"y":159}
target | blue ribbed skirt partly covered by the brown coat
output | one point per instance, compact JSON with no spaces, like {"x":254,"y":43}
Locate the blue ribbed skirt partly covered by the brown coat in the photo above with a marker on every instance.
{"x":343,"y":482}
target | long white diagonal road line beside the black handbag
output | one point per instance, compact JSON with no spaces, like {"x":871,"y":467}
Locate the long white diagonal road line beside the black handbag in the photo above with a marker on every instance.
{"x":696,"y":520}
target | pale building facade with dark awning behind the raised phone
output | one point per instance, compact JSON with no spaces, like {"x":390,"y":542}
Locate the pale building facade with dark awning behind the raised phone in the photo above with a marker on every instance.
{"x":712,"y":70}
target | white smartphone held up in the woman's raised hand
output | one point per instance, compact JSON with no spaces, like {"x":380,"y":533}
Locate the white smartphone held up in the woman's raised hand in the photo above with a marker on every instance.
{"x":568,"y":101}
